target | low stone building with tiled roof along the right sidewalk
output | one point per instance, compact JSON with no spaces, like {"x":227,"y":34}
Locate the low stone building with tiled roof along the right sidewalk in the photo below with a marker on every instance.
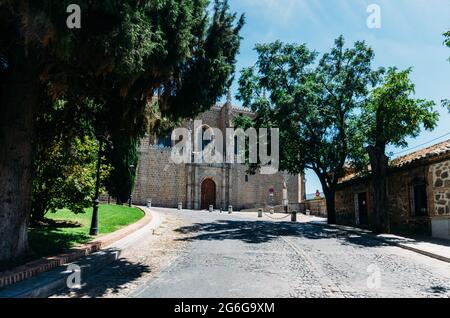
{"x":418,"y":190}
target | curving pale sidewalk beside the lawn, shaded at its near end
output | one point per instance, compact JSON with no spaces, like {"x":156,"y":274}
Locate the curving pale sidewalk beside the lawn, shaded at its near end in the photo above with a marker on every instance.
{"x":51,"y":281}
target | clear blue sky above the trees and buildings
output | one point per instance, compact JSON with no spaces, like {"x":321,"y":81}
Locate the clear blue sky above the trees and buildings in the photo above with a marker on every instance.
{"x":410,"y":36}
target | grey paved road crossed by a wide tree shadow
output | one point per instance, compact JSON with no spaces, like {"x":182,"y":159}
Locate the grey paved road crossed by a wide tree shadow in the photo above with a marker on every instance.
{"x":240,"y":256}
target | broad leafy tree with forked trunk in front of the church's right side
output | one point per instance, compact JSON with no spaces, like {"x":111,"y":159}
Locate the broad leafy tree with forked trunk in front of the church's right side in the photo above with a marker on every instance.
{"x":313,"y":104}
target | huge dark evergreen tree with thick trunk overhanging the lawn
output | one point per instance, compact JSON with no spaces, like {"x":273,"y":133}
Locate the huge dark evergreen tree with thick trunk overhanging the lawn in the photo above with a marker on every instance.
{"x":124,"y":53}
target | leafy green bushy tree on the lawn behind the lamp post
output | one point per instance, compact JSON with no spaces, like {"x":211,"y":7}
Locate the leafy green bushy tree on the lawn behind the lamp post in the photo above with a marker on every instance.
{"x":64,"y":176}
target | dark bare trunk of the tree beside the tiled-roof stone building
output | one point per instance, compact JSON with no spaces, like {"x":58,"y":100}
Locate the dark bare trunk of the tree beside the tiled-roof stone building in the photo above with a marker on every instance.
{"x":379,"y":165}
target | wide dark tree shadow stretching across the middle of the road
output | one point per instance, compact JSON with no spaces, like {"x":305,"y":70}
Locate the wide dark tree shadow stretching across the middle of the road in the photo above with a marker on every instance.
{"x":255,"y":232}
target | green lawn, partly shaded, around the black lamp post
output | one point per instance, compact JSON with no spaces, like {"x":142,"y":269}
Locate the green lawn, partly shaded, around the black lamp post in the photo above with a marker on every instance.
{"x":70,"y":229}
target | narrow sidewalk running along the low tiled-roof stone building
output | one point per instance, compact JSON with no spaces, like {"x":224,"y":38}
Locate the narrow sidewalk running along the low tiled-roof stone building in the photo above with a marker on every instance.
{"x":435,"y":248}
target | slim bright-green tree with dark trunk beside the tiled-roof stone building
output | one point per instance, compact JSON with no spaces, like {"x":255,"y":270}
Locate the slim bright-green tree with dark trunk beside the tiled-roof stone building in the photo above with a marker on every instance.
{"x":390,"y":116}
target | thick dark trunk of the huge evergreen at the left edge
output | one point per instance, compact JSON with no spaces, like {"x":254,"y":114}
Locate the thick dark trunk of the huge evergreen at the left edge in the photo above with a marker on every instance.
{"x":18,"y":99}
